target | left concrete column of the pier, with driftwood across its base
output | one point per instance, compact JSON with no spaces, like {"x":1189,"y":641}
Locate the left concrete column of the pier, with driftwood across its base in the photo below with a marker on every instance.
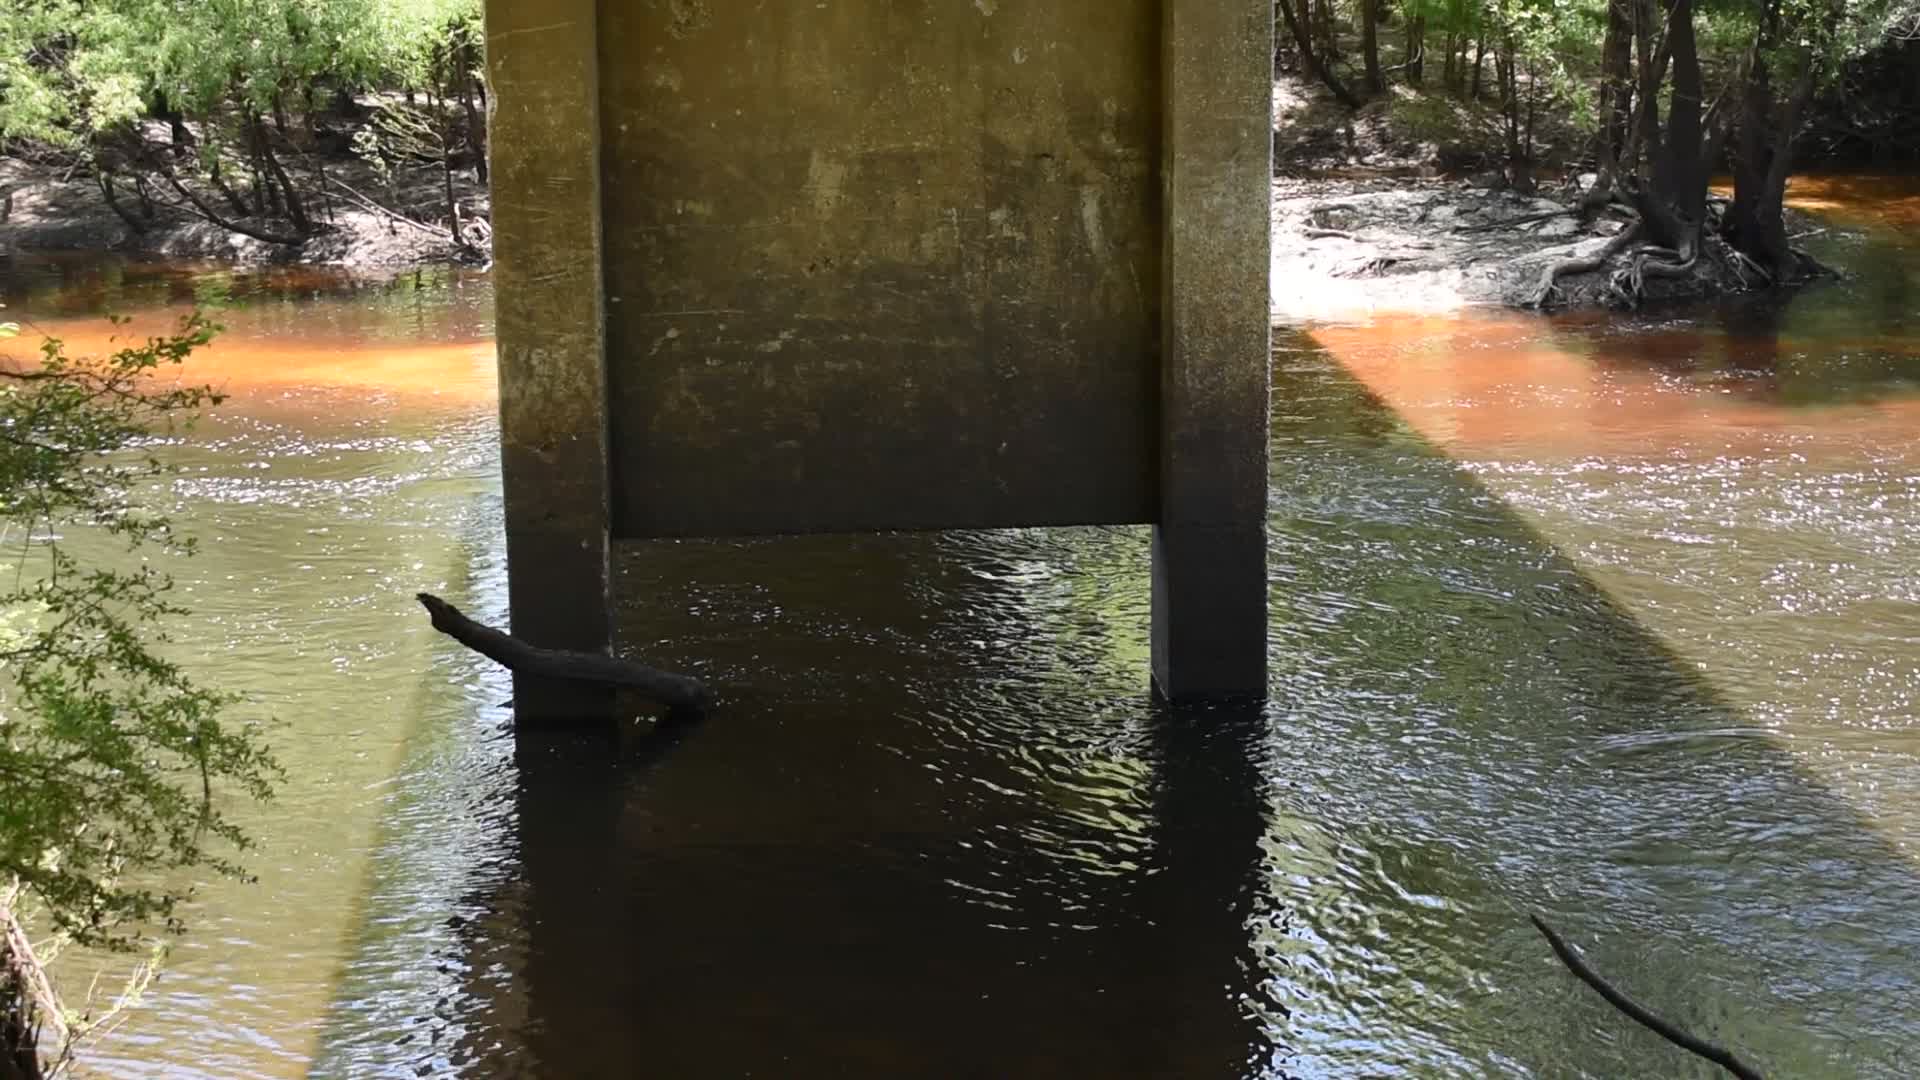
{"x":542,"y":62}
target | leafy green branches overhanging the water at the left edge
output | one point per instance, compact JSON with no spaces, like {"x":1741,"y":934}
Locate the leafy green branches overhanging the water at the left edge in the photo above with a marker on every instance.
{"x":112,"y":760}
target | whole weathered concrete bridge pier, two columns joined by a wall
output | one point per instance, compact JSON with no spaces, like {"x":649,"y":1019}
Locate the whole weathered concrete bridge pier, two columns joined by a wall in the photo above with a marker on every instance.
{"x":884,"y":264}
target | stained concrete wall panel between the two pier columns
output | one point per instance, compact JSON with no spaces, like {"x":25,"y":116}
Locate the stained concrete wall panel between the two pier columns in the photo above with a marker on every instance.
{"x":884,"y":264}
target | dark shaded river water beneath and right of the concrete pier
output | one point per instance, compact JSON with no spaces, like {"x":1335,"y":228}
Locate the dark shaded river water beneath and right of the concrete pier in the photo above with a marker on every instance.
{"x":996,"y":856}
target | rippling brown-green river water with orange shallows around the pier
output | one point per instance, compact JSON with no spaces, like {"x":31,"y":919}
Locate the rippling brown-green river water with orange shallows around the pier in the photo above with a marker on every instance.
{"x":1604,"y":620}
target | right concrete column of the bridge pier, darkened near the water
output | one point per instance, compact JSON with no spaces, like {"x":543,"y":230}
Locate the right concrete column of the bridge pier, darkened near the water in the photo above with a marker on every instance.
{"x":1211,"y":551}
